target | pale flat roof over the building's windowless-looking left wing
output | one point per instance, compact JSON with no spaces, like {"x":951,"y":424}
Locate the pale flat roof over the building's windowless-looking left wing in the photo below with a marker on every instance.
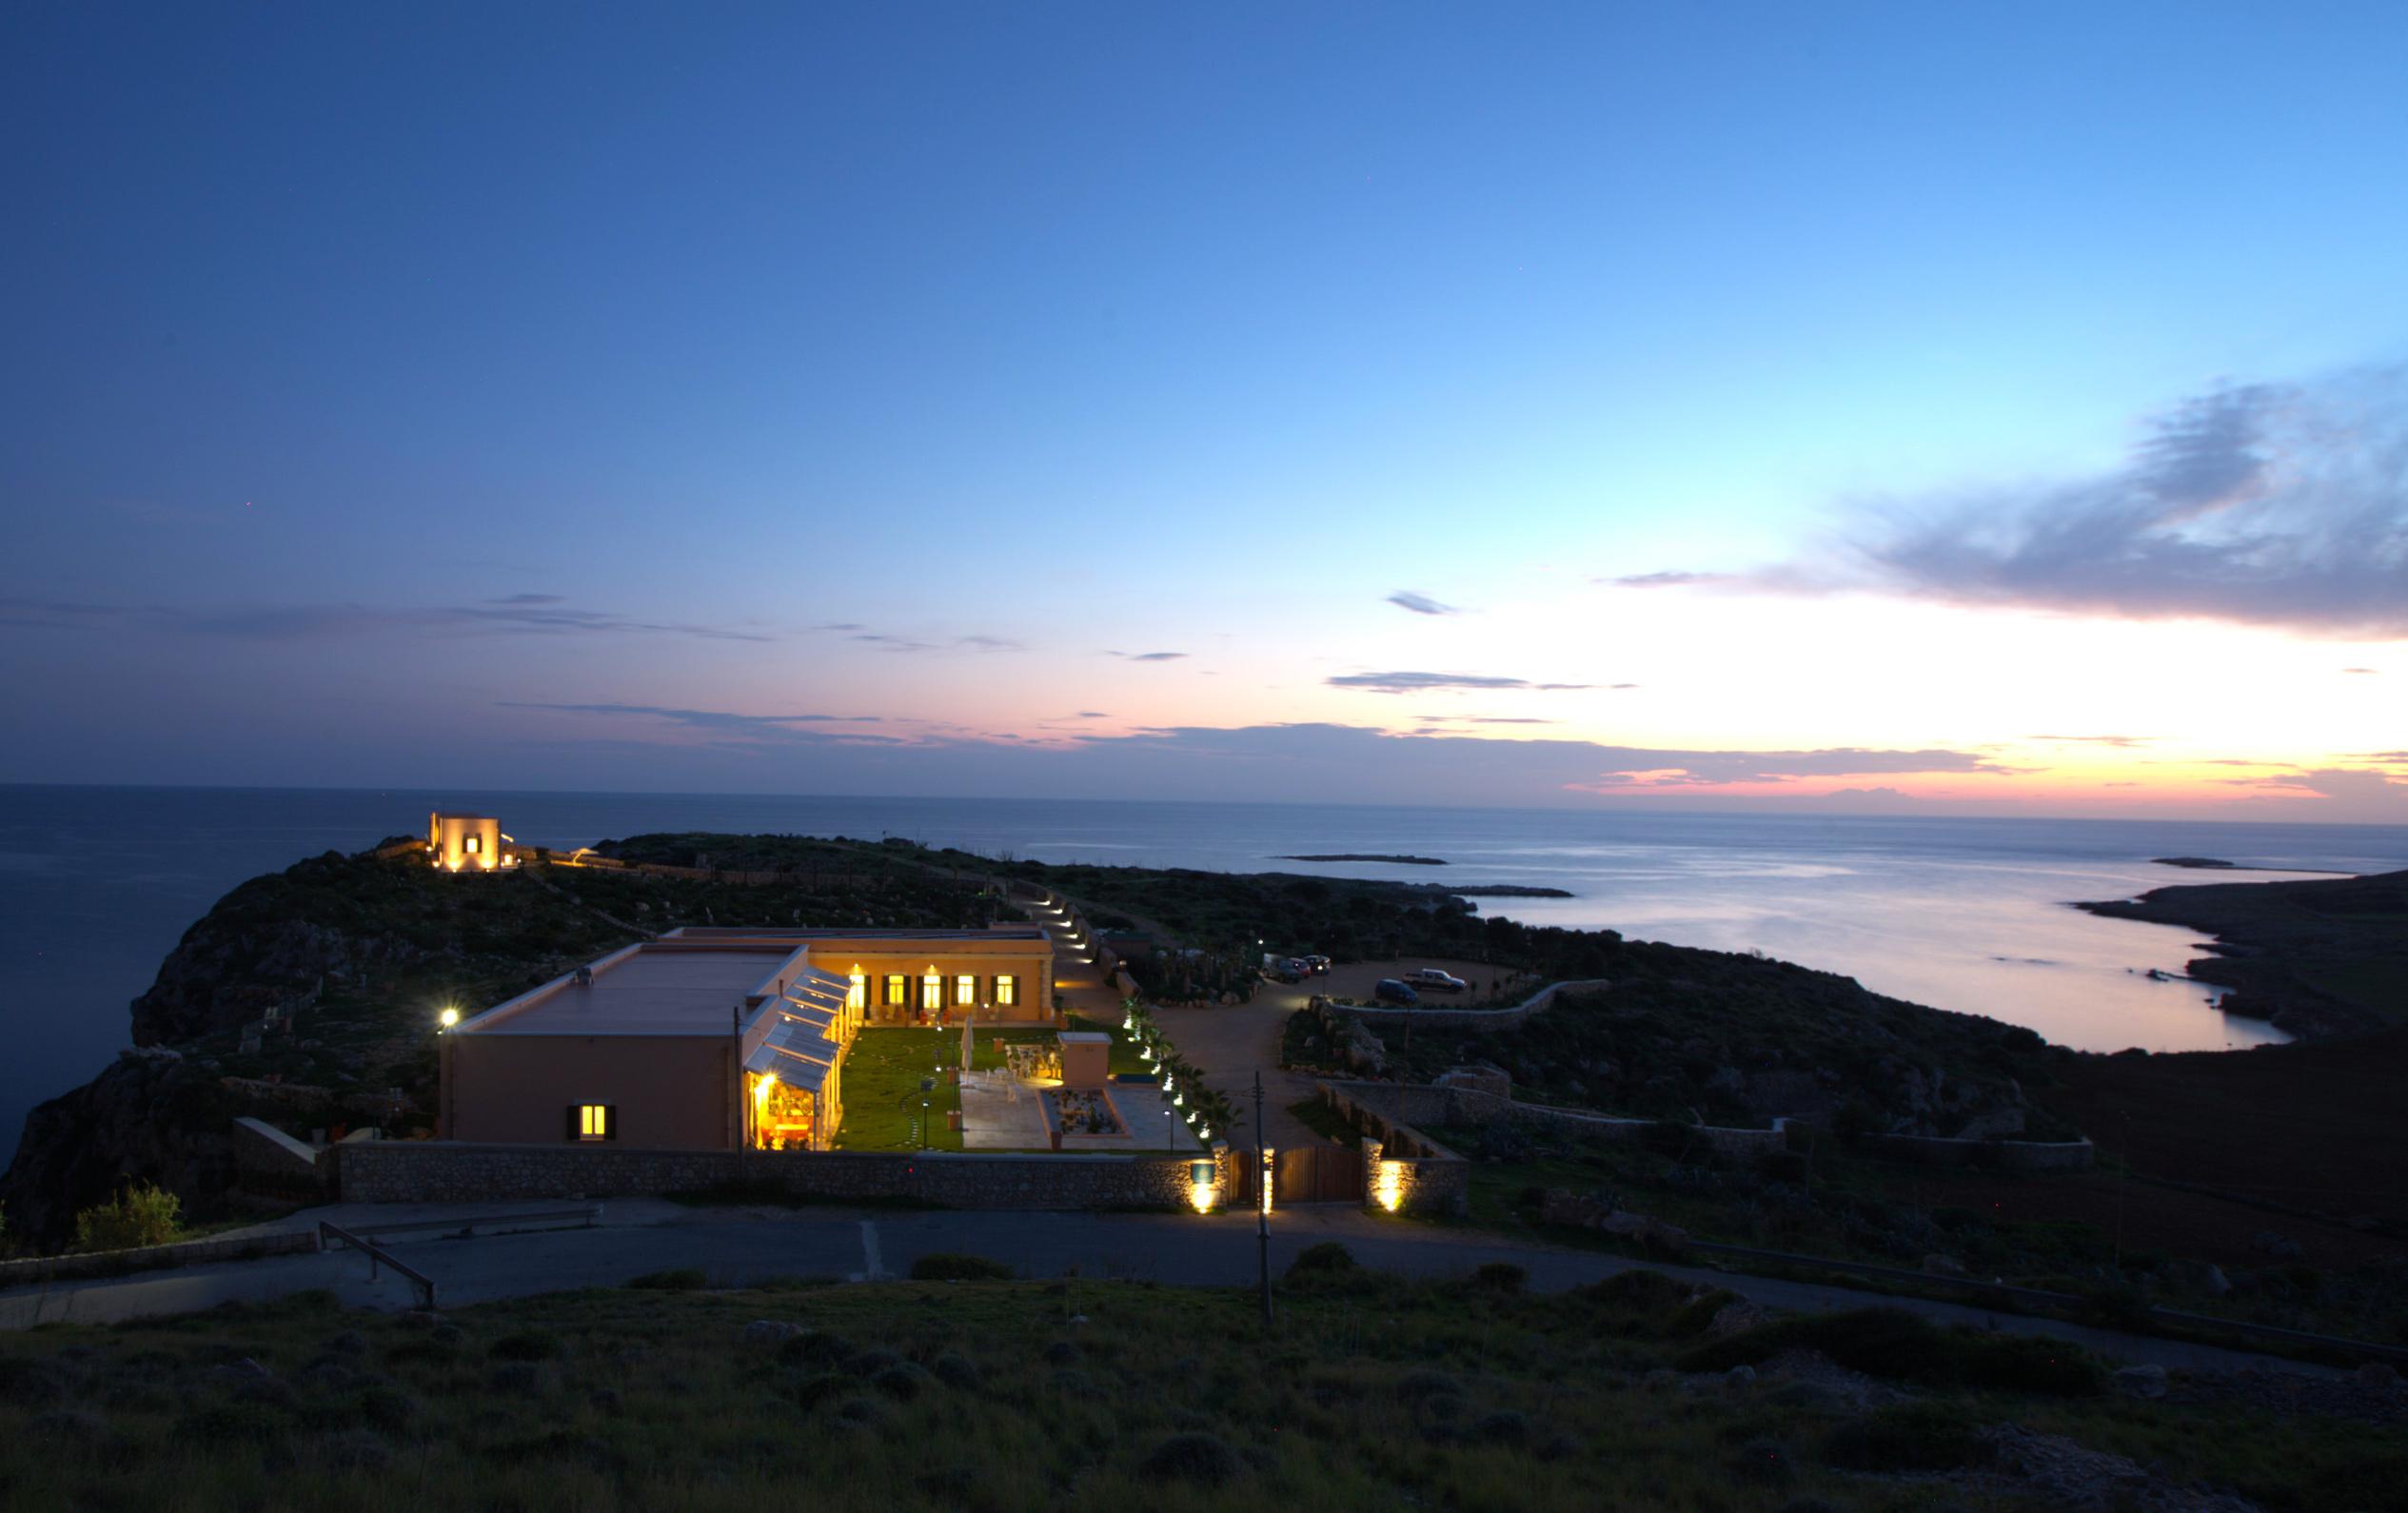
{"x":647,"y":991}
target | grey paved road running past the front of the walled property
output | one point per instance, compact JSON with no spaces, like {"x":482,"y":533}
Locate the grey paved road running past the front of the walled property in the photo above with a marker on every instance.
{"x":740,"y":1247}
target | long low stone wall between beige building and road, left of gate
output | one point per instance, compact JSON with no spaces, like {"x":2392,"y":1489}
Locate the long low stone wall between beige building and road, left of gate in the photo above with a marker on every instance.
{"x":456,"y":1172}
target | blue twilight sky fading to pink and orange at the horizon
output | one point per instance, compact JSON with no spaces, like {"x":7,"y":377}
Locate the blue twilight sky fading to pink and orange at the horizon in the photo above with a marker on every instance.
{"x":1858,"y":408}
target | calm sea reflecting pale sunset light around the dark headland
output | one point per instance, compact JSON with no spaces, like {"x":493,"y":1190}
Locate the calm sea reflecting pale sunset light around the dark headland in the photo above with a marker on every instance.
{"x":1964,"y":914}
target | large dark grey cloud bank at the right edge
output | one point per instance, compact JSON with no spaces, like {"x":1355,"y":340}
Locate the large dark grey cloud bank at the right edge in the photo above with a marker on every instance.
{"x":2257,"y":505}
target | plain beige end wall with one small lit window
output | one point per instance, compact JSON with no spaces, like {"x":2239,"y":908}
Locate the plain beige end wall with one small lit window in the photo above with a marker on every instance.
{"x":673,"y":1093}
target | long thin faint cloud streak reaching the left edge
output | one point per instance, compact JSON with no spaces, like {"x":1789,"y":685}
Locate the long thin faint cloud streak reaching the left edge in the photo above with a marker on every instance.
{"x":524,"y":616}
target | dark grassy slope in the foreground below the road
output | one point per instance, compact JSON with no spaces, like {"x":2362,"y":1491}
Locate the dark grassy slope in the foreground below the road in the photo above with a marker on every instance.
{"x":1367,"y":1394}
